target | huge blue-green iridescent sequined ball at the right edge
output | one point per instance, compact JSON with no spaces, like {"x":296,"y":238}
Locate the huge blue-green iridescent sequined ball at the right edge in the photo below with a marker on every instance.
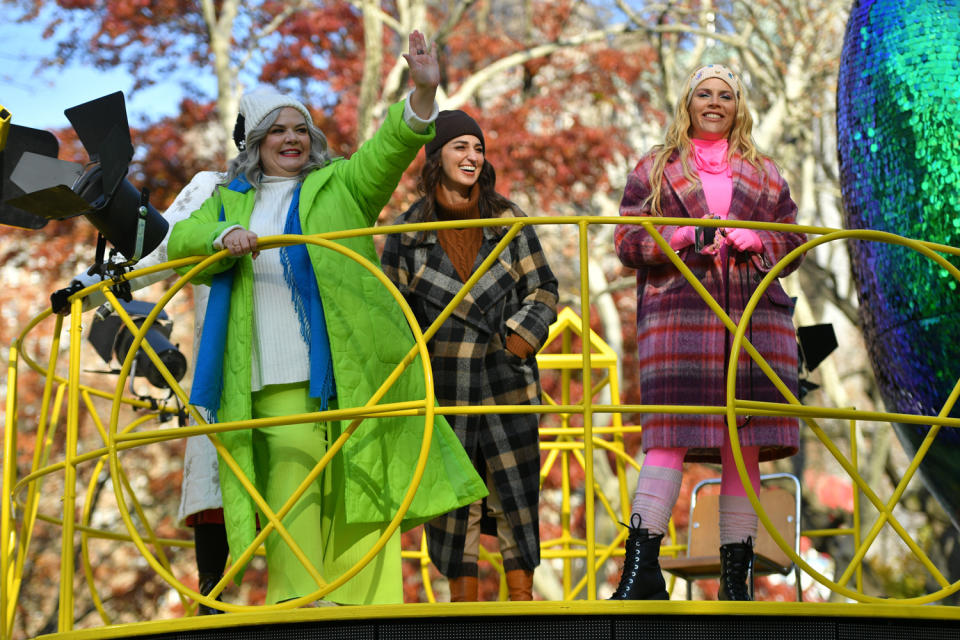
{"x":898,"y":127}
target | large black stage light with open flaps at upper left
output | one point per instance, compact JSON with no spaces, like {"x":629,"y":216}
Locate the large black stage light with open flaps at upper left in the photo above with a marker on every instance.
{"x":38,"y":187}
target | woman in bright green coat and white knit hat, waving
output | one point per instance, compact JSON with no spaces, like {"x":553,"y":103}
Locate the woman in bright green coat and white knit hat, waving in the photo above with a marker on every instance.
{"x":302,"y":329}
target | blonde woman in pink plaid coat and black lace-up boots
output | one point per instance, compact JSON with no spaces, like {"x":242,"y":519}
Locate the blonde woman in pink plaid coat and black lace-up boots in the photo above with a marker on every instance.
{"x":707,"y":168}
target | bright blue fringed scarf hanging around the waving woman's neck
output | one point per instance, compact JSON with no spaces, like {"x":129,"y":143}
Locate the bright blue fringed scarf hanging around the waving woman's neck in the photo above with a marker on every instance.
{"x":305,"y":294}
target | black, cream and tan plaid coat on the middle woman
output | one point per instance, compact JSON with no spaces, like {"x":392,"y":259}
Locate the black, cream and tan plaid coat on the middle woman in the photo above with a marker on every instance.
{"x":472,"y":366}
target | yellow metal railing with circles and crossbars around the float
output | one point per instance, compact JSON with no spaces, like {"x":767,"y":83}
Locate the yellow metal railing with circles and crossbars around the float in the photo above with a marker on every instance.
{"x":582,"y":555}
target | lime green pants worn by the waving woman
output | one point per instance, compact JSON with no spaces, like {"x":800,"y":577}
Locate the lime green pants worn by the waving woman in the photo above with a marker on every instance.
{"x":283,"y":457}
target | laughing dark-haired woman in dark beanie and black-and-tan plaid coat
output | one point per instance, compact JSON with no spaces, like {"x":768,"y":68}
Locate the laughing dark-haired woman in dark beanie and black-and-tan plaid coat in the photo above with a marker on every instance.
{"x":484,"y":353}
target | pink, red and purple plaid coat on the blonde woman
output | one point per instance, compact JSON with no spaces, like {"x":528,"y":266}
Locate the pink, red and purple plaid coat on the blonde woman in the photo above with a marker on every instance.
{"x":682,"y":345}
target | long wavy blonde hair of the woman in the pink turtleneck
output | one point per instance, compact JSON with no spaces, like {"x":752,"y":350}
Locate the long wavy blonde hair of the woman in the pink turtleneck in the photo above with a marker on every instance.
{"x":677,"y":139}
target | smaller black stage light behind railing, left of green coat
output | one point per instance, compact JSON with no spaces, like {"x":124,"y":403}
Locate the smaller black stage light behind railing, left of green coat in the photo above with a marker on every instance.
{"x":111,"y":338}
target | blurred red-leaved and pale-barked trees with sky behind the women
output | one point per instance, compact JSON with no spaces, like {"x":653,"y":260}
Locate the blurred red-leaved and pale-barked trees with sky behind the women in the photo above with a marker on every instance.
{"x":570,"y":94}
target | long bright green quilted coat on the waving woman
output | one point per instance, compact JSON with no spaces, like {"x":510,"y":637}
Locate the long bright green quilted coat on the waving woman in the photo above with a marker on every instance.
{"x":368,"y":337}
